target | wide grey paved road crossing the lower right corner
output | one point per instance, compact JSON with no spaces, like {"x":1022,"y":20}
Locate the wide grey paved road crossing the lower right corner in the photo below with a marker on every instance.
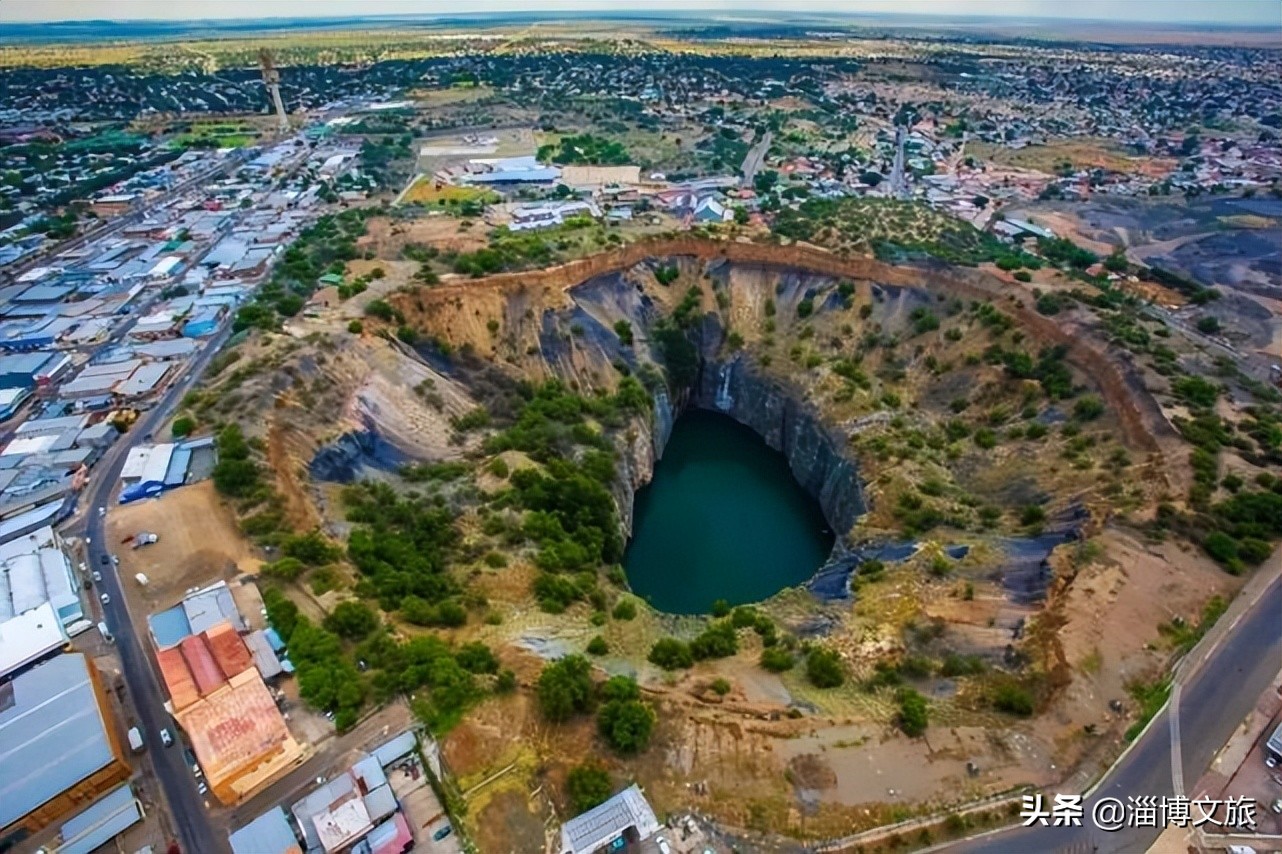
{"x":1213,"y":703}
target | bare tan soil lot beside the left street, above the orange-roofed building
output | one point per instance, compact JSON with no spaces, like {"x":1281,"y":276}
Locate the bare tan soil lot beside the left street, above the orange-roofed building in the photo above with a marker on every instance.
{"x":199,"y":544}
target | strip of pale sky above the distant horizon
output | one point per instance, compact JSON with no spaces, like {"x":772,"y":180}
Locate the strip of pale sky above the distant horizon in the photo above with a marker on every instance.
{"x":1221,"y":12}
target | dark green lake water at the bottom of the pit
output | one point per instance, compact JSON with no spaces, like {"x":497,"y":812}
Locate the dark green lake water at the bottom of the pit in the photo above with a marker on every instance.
{"x":724,"y":519}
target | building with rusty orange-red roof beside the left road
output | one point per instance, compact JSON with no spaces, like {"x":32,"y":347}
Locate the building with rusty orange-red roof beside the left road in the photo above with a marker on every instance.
{"x":230,"y":717}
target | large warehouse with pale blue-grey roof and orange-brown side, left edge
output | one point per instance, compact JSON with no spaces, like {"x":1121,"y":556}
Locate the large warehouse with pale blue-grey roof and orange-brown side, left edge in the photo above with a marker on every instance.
{"x":60,"y":748}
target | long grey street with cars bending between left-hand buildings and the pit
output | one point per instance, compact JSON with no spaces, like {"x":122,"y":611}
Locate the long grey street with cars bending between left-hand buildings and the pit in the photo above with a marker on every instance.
{"x":187,"y":807}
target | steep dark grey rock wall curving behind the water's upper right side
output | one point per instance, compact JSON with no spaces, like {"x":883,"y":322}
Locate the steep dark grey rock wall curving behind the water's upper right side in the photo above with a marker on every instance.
{"x":790,"y":428}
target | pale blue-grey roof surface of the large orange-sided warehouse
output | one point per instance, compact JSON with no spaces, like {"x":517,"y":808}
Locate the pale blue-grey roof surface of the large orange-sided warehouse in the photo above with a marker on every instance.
{"x":52,"y":734}
